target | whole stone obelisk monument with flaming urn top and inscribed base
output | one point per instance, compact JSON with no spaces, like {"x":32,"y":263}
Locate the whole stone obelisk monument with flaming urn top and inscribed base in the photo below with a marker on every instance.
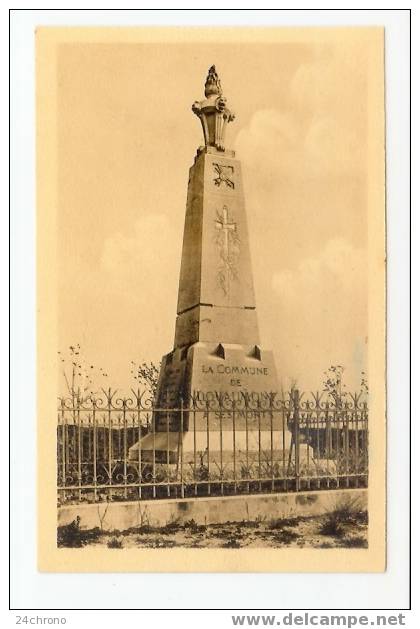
{"x":217,"y":366}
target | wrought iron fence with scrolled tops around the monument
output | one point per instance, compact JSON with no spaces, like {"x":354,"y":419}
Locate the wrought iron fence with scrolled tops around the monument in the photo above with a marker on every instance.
{"x":208,"y":445}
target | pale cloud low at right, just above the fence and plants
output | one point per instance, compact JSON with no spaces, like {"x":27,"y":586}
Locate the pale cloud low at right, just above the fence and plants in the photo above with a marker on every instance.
{"x":322,"y":307}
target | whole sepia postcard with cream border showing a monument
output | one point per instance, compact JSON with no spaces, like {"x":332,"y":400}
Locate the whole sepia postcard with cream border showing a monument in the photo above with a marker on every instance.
{"x":211,"y":299}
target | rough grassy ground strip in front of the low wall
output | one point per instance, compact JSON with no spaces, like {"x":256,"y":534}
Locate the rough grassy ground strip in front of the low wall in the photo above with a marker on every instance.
{"x":338,"y":529}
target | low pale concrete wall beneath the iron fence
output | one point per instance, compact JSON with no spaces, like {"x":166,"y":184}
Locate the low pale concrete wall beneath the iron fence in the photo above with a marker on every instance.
{"x":124,"y":515}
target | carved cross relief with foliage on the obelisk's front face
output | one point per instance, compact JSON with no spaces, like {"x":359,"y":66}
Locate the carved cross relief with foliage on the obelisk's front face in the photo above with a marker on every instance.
{"x":228,"y":243}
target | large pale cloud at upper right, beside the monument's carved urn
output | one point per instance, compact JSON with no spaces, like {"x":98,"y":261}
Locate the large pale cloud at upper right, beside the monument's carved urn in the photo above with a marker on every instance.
{"x":320,"y":127}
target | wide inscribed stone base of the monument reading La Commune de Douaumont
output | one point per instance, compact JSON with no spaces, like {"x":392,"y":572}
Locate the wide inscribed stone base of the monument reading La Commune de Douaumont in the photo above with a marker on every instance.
{"x":217,"y":403}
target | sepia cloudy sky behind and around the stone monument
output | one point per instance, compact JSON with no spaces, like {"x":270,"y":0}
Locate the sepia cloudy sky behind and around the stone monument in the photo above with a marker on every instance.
{"x":126,"y":140}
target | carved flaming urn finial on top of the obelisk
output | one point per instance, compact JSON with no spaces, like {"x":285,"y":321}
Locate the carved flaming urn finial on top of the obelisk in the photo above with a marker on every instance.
{"x":213,"y":112}
